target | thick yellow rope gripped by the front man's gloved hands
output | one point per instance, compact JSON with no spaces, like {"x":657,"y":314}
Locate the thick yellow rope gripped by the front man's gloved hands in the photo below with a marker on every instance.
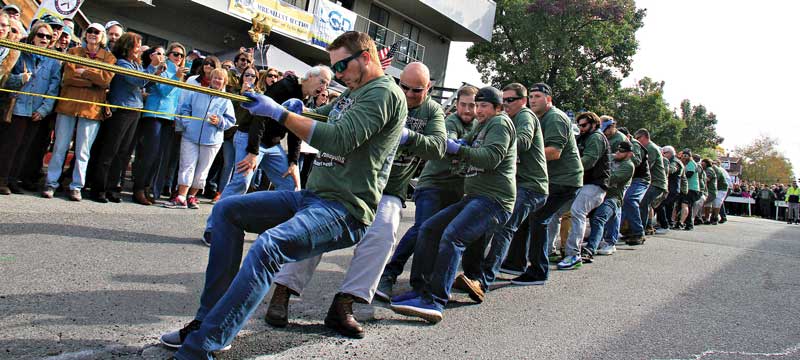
{"x":131,"y":72}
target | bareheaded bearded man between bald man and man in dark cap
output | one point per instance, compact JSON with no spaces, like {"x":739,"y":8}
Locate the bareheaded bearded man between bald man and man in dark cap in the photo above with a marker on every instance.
{"x":439,"y":186}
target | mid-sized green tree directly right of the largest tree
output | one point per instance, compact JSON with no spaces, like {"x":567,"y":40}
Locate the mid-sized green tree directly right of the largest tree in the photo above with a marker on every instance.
{"x":644,"y":106}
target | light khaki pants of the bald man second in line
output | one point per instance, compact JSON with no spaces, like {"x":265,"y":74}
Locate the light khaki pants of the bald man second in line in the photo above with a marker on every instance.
{"x":369,"y":257}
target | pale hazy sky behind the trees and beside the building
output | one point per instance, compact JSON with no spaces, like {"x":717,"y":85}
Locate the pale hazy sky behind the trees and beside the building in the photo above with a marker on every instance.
{"x":737,"y":58}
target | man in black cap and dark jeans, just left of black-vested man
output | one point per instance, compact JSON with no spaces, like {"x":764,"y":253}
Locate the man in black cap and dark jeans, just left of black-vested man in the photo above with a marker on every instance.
{"x":565,"y":177}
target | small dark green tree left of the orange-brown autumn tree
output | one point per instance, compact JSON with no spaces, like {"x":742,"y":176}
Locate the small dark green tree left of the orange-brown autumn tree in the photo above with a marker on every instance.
{"x":701,"y":128}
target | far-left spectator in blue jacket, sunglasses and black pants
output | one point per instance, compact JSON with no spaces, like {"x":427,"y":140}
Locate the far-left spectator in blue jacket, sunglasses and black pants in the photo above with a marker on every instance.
{"x":34,"y":74}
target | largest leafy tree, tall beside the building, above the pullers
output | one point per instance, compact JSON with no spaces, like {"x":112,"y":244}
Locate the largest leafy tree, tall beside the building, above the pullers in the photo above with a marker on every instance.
{"x":581,"y":48}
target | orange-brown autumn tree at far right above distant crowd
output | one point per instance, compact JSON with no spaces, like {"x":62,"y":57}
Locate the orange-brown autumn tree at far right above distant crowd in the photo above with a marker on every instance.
{"x":763,"y":162}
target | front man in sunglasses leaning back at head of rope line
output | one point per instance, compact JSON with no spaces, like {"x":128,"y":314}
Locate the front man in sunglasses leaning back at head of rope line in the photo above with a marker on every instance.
{"x":357,"y":145}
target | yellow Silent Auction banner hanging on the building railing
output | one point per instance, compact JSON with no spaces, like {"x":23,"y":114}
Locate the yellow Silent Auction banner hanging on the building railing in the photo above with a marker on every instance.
{"x":283,"y":18}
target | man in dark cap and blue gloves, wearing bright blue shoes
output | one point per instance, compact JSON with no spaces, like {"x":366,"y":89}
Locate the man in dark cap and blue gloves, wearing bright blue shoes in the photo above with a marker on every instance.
{"x":489,"y":152}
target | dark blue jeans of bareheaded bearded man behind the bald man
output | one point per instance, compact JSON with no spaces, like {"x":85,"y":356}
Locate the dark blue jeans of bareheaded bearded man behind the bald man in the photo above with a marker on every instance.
{"x":428,"y":202}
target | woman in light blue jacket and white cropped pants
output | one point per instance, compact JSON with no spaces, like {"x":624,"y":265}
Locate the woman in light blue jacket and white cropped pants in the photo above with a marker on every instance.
{"x":201,"y":140}
